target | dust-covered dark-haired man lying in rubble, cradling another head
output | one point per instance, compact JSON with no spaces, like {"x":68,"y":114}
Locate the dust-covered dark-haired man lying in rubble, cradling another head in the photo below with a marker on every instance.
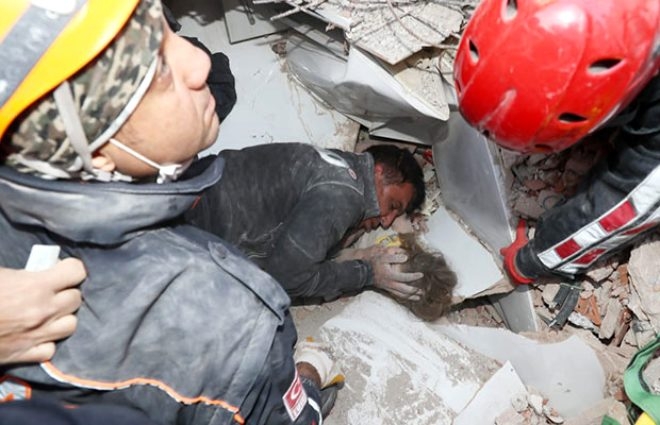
{"x":290,"y":207}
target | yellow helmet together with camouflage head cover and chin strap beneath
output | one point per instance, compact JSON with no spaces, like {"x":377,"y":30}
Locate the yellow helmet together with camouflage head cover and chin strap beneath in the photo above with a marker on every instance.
{"x":73,"y":71}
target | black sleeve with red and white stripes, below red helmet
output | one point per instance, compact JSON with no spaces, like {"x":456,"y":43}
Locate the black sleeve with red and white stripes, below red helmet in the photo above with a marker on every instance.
{"x":620,"y":201}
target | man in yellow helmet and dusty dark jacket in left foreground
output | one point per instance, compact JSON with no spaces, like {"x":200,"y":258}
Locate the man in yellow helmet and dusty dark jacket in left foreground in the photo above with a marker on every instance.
{"x":173,"y":322}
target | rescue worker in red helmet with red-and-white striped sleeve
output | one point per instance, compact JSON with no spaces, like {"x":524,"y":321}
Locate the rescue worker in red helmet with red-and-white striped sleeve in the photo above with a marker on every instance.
{"x":538,"y":77}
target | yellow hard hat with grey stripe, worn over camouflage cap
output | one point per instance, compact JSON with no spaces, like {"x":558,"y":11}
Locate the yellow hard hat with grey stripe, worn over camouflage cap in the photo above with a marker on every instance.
{"x":45,"y":42}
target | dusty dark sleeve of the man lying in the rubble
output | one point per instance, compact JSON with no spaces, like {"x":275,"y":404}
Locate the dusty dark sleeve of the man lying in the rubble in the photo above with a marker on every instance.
{"x":300,"y":256}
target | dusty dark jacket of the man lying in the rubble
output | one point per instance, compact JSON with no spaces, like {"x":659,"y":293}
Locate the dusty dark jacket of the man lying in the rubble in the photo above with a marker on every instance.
{"x":287,"y":206}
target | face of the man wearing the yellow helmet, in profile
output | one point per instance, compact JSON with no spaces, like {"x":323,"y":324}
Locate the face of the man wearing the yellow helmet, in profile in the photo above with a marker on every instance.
{"x":175,"y":119}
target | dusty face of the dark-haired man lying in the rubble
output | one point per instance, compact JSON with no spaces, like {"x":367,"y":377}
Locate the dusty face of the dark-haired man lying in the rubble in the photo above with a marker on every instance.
{"x":393,"y":200}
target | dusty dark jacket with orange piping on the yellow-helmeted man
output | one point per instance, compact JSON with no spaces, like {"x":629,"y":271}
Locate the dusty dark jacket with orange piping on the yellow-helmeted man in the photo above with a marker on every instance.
{"x":174,"y":321}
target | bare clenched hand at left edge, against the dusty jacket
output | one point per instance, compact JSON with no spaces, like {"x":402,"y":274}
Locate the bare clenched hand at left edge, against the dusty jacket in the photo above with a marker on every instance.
{"x":36,"y":309}
